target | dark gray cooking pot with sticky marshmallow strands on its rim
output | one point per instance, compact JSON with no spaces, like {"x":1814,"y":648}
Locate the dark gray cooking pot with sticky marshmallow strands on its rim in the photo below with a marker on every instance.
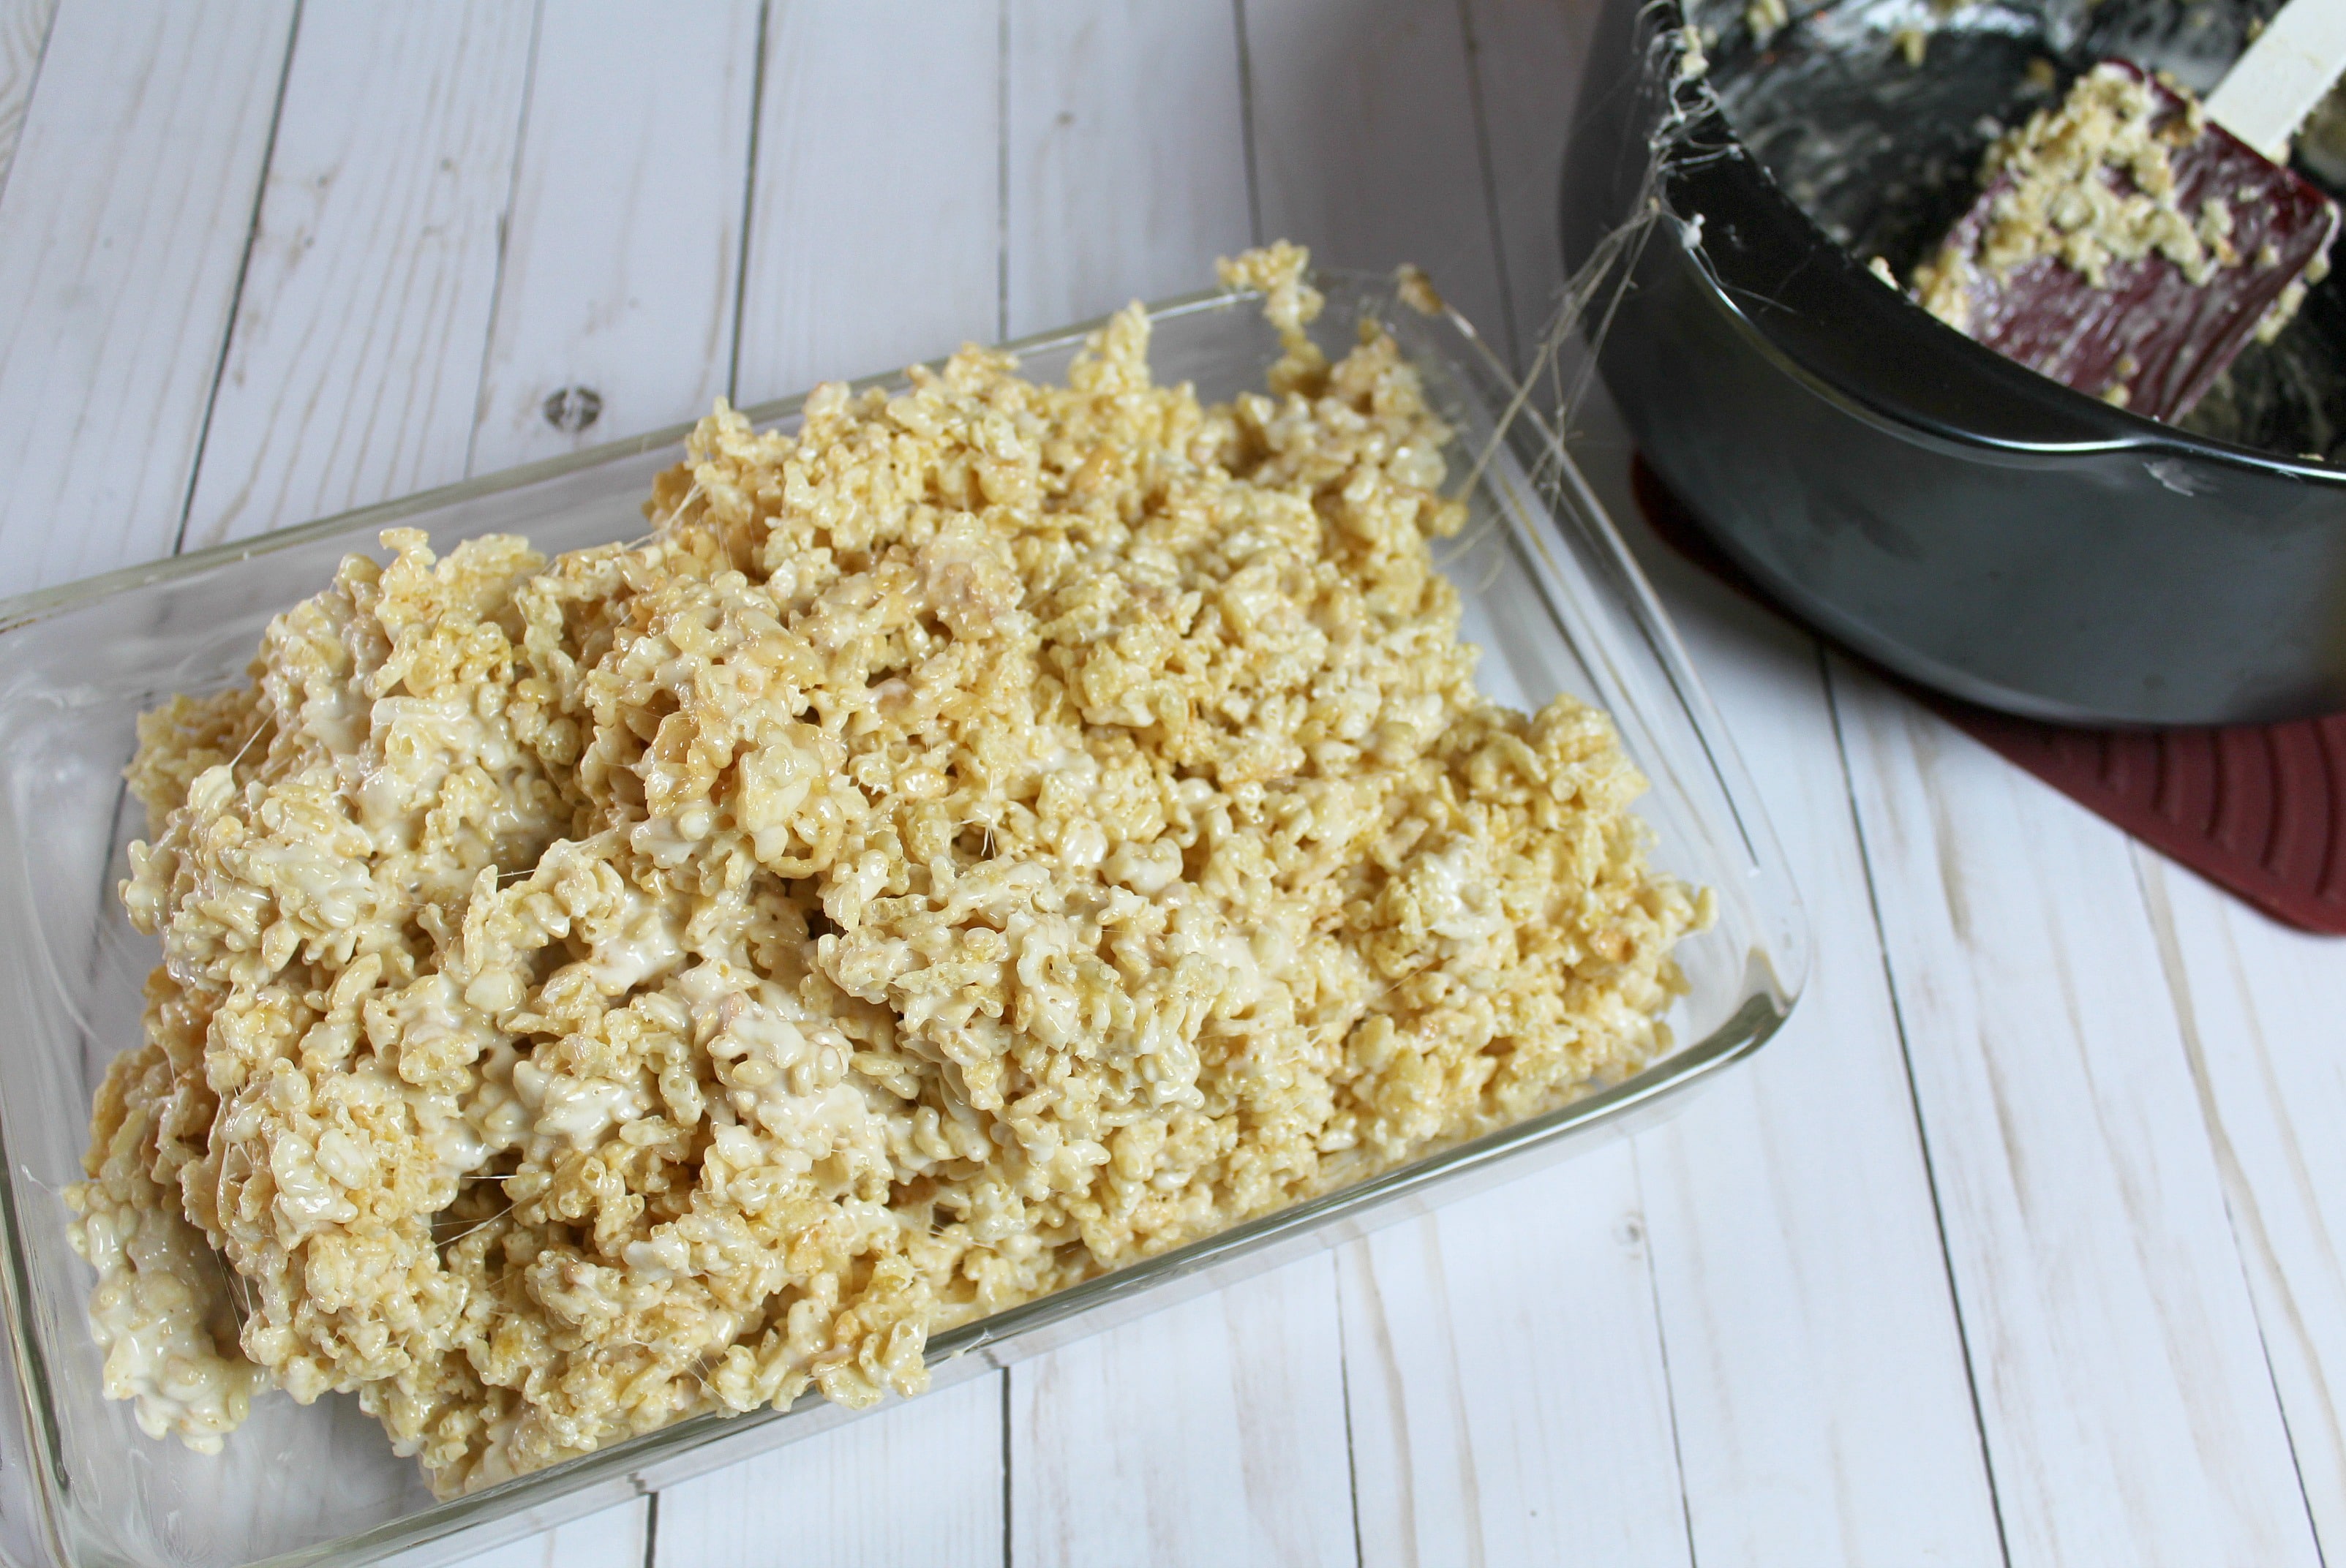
{"x":1923,"y":500}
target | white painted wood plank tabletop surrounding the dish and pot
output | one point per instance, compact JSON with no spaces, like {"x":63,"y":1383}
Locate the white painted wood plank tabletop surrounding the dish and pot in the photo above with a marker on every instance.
{"x":2021,"y":1246}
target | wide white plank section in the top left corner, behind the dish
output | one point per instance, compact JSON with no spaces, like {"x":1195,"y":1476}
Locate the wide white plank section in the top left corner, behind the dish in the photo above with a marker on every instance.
{"x":121,"y":236}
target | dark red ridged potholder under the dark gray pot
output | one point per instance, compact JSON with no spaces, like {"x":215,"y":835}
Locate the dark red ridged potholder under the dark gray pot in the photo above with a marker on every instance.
{"x":2253,"y":807}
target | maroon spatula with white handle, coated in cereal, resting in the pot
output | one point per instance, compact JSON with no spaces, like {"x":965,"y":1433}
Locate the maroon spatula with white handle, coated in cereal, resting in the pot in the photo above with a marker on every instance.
{"x":2230,"y":238}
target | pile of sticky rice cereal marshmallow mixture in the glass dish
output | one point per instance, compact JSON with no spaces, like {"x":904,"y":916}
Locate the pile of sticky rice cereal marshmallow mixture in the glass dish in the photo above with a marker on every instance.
{"x":986,"y":838}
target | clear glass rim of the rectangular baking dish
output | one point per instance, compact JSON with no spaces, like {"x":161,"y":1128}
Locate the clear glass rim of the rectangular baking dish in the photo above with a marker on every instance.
{"x":1772,"y":976}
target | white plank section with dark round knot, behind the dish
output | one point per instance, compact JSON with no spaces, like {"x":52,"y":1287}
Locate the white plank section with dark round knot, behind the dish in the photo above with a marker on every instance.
{"x":616,"y":304}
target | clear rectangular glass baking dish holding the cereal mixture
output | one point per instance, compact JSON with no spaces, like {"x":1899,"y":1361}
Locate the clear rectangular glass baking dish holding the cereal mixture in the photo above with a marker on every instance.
{"x":1552,"y":599}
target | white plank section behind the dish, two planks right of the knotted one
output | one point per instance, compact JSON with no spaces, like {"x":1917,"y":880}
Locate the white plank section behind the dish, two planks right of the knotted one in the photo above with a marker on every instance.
{"x":1127,"y":156}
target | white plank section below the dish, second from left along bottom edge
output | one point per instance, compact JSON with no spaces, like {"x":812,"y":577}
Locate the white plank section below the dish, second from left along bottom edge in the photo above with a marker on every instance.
{"x":911,"y":1485}
